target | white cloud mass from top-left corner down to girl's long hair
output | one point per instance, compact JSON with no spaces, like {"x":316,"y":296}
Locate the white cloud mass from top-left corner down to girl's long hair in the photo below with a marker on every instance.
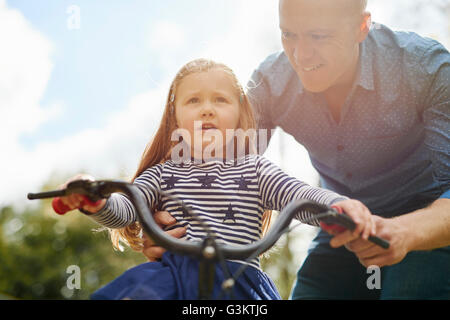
{"x":25,"y":61}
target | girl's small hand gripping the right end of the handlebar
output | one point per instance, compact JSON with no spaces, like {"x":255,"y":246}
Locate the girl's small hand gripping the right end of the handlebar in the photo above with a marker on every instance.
{"x":360,"y":214}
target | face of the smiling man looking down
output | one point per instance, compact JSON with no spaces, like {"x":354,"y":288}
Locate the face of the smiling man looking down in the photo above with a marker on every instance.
{"x":320,"y":39}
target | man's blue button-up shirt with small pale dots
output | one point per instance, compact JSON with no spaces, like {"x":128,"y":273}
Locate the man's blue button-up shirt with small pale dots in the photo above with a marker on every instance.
{"x":391,"y":148}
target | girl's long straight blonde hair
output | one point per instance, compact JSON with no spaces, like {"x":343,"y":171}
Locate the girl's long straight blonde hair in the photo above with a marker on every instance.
{"x":158,"y":150}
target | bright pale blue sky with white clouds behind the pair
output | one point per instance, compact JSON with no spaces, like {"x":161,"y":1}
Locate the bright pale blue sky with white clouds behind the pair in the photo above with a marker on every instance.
{"x":83,"y":83}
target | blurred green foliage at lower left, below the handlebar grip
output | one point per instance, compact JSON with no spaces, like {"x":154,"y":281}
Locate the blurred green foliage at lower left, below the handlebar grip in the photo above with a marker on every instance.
{"x":37,"y":246}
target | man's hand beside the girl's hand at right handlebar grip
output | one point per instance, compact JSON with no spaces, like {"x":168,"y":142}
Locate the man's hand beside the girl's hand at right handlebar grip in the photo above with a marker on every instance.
{"x":371,"y":254}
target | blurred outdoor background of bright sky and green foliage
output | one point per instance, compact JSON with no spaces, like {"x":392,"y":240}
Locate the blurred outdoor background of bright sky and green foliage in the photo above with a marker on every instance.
{"x":82,"y":88}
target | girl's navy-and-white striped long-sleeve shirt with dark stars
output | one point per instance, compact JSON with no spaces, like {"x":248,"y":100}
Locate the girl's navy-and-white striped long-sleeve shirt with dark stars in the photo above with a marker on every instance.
{"x":229,"y":196}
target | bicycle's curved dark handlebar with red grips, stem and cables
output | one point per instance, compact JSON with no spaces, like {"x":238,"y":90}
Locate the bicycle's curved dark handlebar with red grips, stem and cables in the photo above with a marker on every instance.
{"x":208,"y":251}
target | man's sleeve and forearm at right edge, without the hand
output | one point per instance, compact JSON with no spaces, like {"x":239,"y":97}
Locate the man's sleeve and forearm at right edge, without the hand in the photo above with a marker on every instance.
{"x":430,"y":227}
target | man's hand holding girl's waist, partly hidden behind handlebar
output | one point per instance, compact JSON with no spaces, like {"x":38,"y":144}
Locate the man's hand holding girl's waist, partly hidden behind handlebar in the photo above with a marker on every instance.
{"x":163,"y":219}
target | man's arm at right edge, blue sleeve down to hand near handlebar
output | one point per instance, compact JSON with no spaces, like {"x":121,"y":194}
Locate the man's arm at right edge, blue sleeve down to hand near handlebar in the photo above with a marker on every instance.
{"x":427,"y":228}
